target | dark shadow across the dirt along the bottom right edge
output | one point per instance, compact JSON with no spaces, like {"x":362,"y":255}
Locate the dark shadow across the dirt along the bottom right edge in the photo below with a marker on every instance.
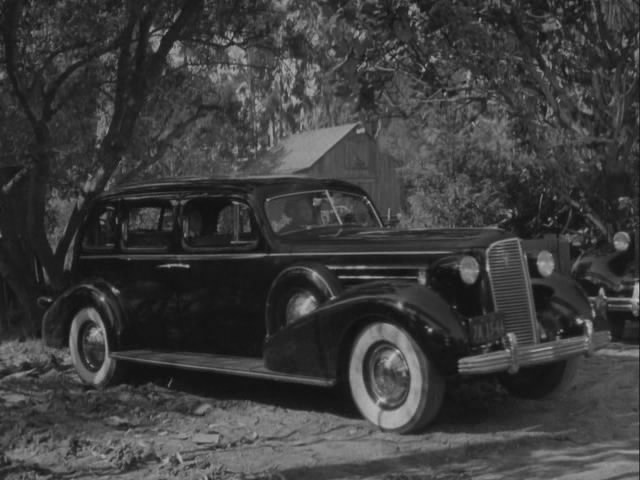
{"x":538,"y":460}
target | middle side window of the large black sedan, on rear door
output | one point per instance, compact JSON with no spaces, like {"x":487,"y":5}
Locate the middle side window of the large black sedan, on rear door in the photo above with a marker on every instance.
{"x":148,"y":225}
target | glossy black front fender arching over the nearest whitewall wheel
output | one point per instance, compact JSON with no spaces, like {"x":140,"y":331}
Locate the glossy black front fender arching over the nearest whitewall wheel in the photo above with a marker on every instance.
{"x":319,"y":344}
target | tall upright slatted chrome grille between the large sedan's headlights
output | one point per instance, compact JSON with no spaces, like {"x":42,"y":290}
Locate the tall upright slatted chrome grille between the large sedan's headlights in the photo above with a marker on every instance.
{"x":511,"y":289}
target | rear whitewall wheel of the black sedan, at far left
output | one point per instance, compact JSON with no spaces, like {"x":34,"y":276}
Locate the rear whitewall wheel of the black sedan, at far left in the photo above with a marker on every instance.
{"x":89,"y":347}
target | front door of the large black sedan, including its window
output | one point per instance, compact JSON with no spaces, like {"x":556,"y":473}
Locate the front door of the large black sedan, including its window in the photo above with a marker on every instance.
{"x":222,"y":304}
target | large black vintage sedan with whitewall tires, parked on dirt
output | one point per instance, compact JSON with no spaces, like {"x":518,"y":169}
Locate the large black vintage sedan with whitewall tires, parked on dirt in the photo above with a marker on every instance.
{"x":296,"y":279}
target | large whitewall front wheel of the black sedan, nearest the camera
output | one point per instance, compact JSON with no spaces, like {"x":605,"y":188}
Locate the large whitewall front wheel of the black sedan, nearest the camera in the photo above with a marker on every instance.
{"x":392,"y":382}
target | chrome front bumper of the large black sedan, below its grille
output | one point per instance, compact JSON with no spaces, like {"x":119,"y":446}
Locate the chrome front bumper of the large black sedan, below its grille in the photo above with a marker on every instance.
{"x":514,"y":356}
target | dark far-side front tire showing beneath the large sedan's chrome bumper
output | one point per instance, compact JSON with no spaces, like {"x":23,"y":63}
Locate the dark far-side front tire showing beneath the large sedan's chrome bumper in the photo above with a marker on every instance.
{"x":542,"y":380}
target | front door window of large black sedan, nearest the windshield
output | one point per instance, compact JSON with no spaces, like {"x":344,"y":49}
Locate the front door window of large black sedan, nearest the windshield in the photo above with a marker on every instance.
{"x":218,"y":223}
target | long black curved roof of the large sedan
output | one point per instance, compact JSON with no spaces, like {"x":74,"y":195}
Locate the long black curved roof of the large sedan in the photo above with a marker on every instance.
{"x":268,"y":185}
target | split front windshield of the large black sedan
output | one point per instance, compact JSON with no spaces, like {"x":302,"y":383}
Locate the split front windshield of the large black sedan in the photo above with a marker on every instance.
{"x":322,"y":195}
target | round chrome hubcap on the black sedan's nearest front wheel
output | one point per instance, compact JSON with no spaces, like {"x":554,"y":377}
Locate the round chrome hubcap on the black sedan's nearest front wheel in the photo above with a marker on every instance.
{"x":386,"y":375}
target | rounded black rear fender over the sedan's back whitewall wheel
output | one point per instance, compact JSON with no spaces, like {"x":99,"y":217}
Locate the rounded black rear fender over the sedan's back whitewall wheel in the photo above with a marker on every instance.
{"x":99,"y":294}
